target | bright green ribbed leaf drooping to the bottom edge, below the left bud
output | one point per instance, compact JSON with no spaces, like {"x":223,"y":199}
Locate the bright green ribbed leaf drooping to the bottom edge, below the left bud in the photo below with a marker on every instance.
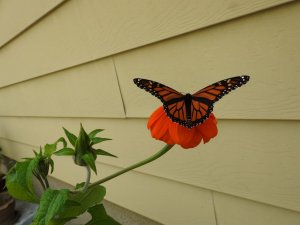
{"x":51,"y":204}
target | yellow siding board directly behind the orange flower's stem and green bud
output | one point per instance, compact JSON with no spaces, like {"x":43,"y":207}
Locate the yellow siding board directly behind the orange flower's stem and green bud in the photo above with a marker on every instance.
{"x":247,"y":159}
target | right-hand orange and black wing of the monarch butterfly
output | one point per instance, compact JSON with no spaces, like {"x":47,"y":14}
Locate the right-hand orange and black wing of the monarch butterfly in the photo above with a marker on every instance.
{"x":203,"y":100}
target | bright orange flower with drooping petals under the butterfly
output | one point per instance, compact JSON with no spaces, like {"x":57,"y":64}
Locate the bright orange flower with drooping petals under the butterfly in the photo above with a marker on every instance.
{"x":162,"y":128}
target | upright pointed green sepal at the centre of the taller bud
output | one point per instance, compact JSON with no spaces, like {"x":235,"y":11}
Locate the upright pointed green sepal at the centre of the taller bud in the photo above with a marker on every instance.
{"x":82,"y":147}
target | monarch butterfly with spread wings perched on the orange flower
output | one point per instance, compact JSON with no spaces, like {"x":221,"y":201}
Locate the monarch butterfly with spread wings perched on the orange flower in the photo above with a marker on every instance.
{"x":190,"y":110}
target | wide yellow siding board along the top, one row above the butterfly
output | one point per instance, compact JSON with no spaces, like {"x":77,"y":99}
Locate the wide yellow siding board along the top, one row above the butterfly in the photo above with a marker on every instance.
{"x":81,"y":31}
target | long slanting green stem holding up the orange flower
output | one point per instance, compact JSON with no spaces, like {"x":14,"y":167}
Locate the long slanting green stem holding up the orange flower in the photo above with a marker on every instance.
{"x":163,"y":151}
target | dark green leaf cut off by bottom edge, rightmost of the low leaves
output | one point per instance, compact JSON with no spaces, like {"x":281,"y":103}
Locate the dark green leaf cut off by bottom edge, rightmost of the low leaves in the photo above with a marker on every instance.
{"x":99,"y":216}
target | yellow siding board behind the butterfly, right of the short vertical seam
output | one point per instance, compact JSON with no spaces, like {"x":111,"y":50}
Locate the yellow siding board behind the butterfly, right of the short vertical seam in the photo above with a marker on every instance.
{"x":251,"y":45}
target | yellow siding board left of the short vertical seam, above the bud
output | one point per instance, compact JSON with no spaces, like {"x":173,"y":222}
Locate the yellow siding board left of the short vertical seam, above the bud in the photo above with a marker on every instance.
{"x":89,"y":90}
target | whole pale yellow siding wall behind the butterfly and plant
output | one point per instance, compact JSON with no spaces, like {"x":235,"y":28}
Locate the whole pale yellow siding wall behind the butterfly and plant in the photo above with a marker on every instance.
{"x":66,"y":62}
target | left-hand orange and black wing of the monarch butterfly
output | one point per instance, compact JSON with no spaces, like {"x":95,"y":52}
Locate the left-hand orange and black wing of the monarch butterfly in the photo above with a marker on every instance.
{"x":173,"y":101}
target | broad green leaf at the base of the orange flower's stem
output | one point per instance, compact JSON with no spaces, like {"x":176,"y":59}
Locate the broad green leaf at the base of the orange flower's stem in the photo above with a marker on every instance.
{"x":86,"y":199}
